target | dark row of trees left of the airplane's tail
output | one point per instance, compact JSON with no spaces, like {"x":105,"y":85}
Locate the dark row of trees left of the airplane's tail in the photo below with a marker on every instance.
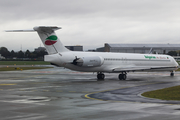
{"x":27,"y":55}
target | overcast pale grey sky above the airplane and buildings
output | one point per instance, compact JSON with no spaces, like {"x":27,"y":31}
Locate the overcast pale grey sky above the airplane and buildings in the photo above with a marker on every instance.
{"x":91,"y":23}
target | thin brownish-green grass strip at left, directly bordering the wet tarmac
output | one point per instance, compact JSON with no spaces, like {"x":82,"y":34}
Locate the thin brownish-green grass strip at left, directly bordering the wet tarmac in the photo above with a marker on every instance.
{"x":21,"y":68}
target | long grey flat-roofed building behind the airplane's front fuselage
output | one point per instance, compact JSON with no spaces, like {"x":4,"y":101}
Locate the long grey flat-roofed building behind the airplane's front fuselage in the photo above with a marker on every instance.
{"x":141,"y":48}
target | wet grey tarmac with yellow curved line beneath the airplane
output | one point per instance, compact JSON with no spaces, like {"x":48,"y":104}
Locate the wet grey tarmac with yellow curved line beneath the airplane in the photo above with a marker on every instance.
{"x":61,"y":94}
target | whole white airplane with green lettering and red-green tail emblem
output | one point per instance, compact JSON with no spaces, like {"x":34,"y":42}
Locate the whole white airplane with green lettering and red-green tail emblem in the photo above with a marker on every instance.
{"x":100,"y":62}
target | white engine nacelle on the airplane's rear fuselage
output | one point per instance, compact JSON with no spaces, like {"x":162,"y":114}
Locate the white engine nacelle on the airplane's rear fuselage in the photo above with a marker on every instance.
{"x":94,"y":61}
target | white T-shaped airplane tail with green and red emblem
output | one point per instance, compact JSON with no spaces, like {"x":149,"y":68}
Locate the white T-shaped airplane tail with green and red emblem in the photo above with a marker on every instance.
{"x":49,"y":38}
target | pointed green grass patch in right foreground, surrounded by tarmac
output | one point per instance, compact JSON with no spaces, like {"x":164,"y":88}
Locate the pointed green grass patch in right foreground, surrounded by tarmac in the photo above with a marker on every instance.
{"x":172,"y":93}
